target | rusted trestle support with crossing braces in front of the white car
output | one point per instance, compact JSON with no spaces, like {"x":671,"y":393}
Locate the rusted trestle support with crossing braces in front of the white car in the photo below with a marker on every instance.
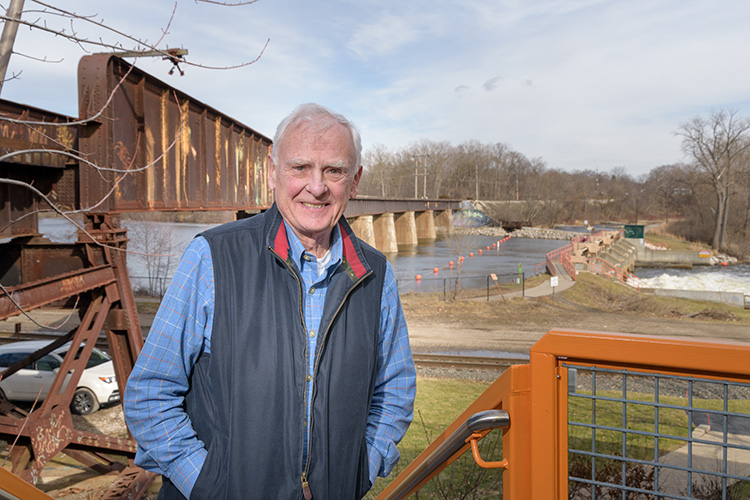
{"x":110,"y":307}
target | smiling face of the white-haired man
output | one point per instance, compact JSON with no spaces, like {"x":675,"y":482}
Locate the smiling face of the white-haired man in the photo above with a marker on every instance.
{"x":314,"y":179}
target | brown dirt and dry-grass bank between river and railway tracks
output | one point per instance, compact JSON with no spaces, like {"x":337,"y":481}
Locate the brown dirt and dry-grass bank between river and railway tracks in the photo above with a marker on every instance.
{"x":593,"y":304}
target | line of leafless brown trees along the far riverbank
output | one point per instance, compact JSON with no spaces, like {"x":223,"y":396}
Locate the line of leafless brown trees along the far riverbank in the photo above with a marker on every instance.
{"x":706,"y":197}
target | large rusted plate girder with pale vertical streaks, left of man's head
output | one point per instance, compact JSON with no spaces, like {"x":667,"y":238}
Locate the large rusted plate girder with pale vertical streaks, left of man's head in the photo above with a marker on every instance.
{"x":163,"y":149}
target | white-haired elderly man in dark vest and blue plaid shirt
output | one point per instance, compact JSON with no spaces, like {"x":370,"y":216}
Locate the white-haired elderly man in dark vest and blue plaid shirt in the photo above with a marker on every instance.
{"x":278,"y":365}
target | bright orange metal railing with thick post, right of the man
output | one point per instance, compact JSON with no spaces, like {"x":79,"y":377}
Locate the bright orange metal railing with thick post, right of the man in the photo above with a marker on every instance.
{"x":535,"y":445}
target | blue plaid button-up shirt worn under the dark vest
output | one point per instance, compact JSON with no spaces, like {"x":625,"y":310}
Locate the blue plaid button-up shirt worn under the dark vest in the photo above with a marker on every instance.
{"x":155,"y":394}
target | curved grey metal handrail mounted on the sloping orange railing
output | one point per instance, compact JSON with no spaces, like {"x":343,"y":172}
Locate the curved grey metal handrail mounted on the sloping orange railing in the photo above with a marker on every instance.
{"x":479,"y":422}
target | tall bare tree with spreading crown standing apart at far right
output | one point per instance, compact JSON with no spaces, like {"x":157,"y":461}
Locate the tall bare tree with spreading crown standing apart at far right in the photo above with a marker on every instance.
{"x":717,"y":144}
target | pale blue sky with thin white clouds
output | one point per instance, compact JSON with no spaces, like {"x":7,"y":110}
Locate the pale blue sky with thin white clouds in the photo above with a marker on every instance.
{"x":581,"y":84}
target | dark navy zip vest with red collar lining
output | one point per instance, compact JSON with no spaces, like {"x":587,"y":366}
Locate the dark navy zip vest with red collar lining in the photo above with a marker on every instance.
{"x":246,"y":398}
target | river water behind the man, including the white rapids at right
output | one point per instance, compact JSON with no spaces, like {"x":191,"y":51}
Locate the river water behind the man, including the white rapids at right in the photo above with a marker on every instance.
{"x":504,"y":260}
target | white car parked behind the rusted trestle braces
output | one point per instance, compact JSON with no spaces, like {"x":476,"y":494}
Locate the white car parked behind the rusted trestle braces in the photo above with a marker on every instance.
{"x":97,"y":386}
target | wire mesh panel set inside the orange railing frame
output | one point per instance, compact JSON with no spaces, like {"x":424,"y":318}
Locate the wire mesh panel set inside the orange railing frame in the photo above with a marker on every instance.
{"x":638,"y":435}
